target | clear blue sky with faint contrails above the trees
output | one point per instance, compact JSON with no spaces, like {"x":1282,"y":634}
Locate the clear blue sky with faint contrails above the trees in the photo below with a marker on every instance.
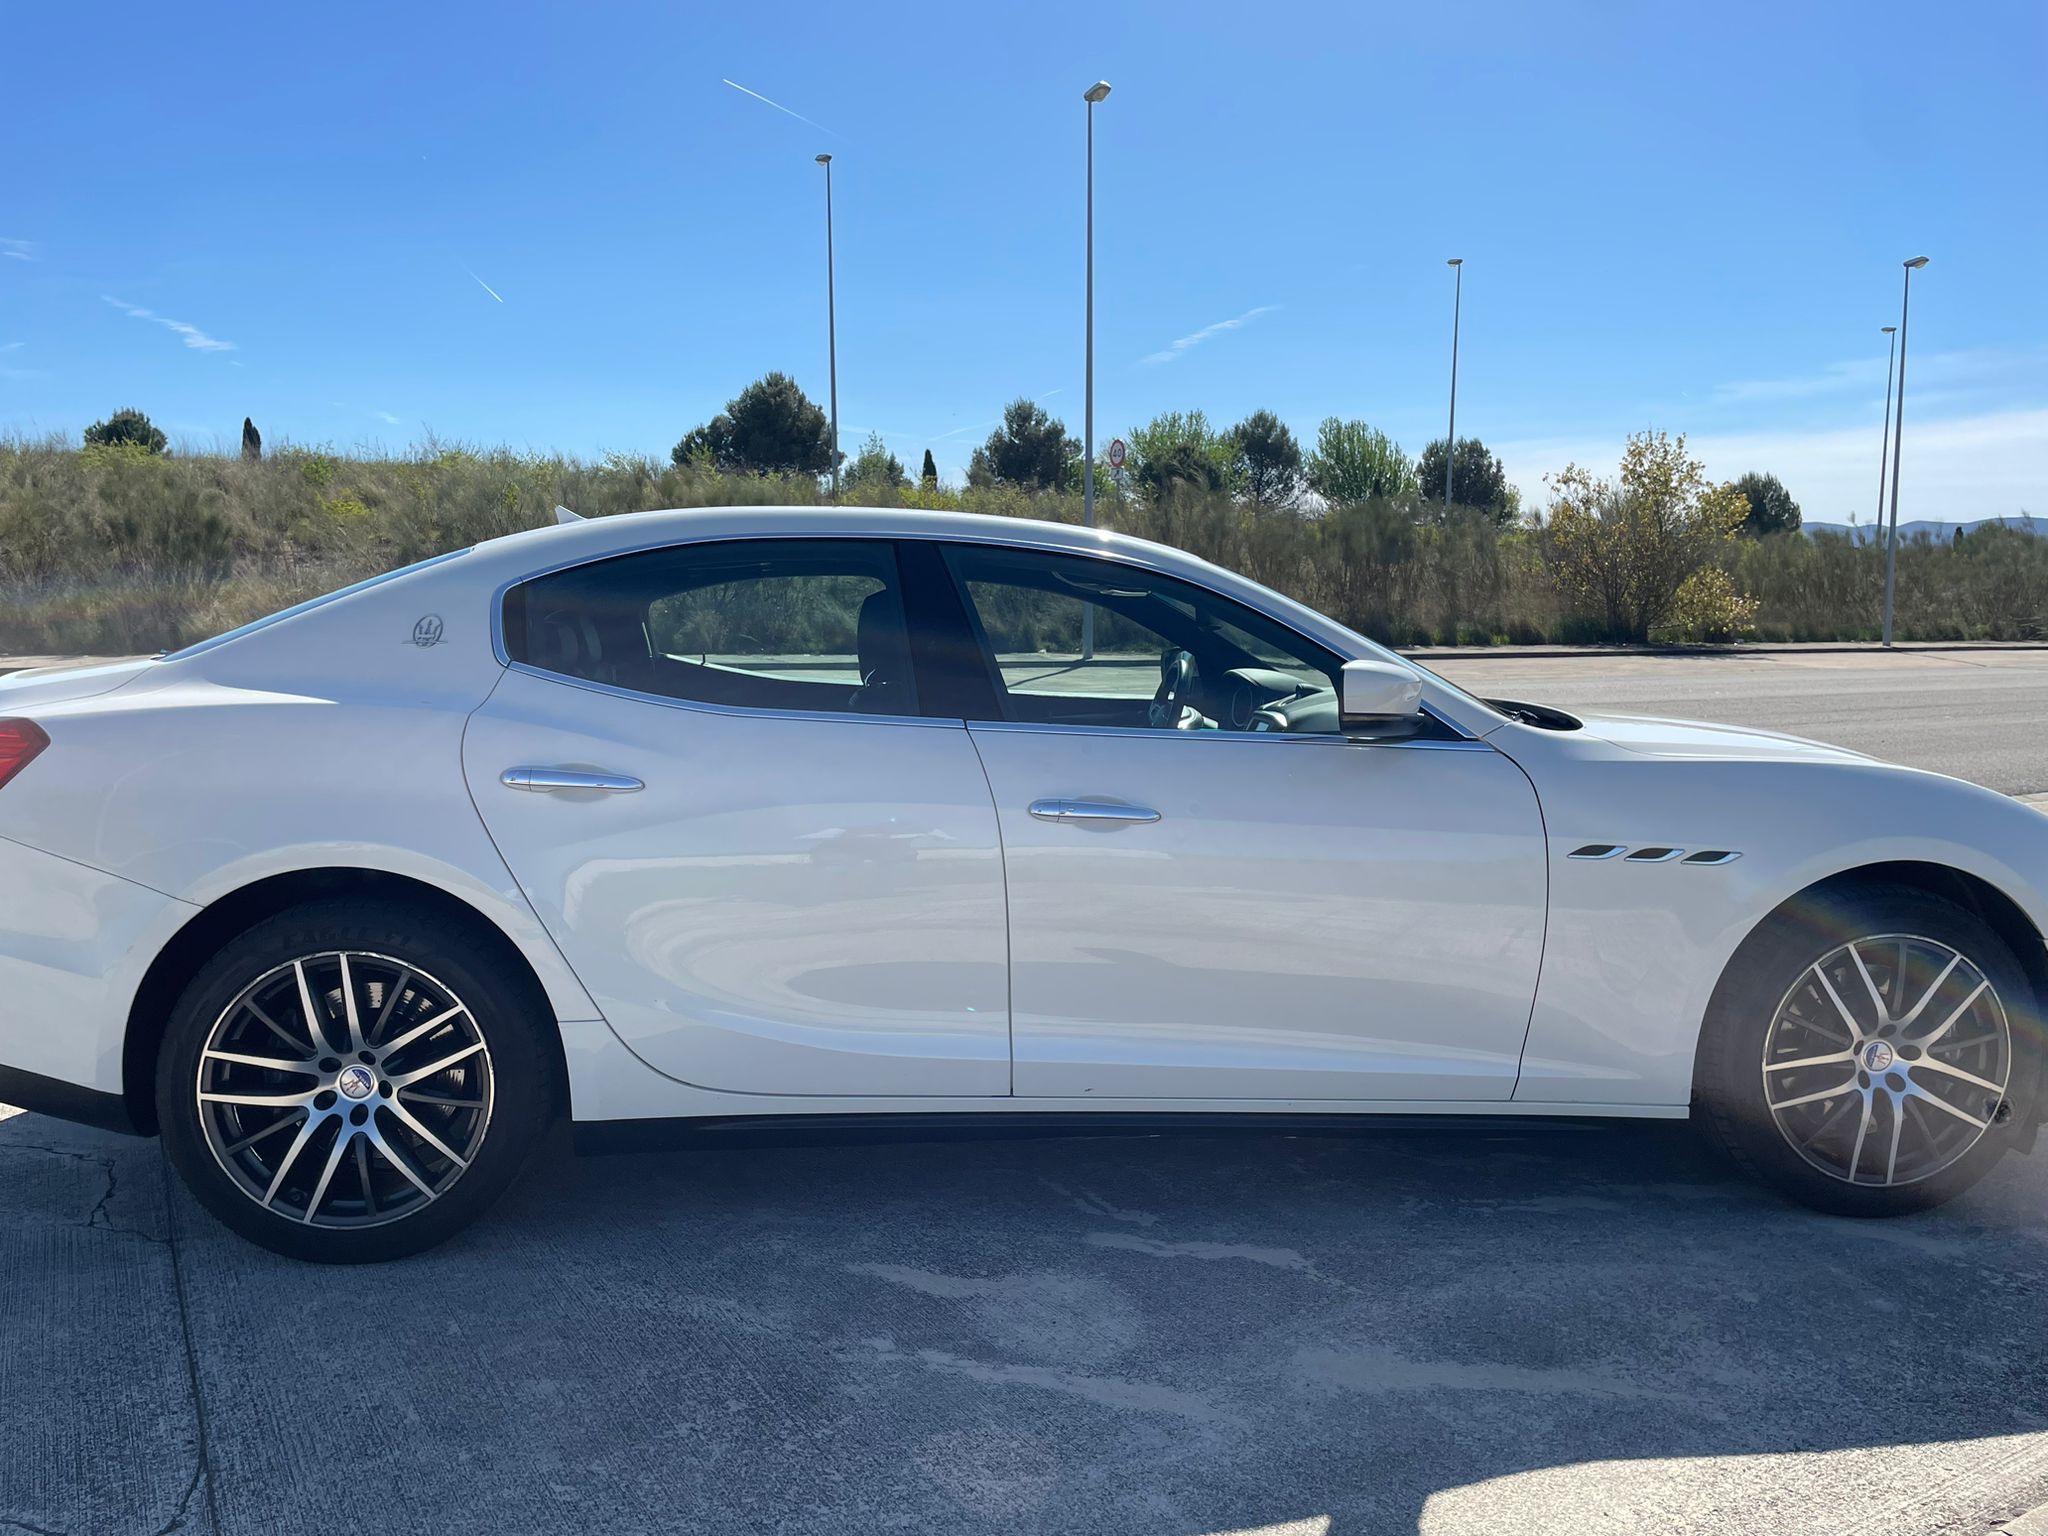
{"x":1676,"y":218}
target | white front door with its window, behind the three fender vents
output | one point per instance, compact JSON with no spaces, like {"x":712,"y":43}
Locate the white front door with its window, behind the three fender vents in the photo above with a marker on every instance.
{"x":1213,"y":894}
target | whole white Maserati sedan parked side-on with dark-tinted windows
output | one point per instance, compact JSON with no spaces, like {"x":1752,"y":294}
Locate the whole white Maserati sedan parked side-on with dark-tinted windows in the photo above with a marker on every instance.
{"x":777,"y":820}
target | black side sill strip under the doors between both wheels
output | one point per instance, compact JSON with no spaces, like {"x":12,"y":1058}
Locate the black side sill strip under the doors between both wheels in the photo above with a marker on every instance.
{"x":714,"y":1132}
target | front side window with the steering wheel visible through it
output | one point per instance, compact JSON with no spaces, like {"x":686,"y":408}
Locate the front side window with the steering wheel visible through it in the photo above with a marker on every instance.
{"x":1086,"y":642}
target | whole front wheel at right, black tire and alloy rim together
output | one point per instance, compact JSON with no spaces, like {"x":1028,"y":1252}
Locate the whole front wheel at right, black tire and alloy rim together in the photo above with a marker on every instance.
{"x":1871,"y":1052}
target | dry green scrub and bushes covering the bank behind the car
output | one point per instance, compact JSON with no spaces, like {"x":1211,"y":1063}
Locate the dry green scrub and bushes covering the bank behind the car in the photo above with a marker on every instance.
{"x":120,"y":548}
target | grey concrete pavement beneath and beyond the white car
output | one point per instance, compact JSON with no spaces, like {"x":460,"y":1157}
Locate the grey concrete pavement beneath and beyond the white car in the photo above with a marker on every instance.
{"x":1531,"y":1330}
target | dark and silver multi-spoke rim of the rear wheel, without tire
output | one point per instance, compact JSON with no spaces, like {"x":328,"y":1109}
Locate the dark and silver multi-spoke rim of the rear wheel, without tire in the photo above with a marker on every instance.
{"x":345,"y":1091}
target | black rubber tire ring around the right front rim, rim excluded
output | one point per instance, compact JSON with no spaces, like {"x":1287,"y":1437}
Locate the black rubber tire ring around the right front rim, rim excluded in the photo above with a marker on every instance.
{"x":1730,"y":1080}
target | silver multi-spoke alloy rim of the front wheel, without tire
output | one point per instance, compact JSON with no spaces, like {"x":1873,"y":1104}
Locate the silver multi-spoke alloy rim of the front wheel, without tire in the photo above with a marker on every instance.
{"x":1887,"y":1060}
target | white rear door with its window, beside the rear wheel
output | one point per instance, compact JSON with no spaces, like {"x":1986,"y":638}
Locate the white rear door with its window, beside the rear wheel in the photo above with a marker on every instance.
{"x":710,"y":773}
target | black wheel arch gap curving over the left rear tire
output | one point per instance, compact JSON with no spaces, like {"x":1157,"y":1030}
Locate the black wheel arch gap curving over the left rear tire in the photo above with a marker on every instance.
{"x":234,"y":912}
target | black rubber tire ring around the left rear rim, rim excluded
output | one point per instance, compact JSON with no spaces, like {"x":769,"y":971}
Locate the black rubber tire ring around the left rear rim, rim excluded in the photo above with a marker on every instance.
{"x":509,"y":1017}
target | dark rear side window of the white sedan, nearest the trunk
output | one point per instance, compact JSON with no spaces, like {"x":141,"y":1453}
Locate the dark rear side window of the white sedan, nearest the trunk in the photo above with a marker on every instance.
{"x":771,"y":624}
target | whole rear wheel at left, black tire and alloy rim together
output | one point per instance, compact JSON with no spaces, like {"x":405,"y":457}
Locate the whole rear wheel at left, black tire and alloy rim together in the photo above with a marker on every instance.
{"x":400,"y":1125}
